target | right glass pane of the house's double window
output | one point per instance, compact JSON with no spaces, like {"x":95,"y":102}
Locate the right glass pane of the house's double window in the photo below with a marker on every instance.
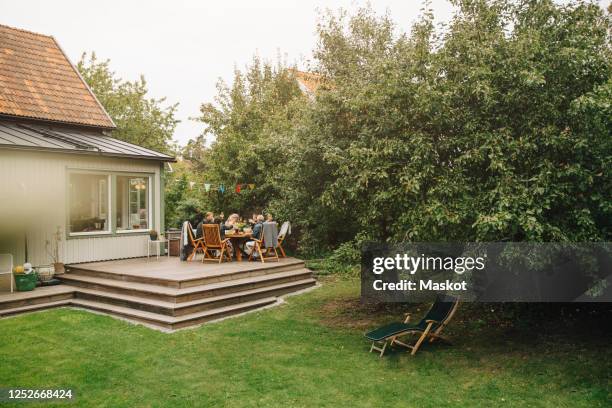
{"x":132,"y":200}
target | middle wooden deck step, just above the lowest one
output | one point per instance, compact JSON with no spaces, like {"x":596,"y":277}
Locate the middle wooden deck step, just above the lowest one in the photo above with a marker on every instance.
{"x":183,"y":308}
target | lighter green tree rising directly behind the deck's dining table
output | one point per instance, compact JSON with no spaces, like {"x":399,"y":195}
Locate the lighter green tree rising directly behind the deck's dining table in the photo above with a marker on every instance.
{"x":251,"y":121}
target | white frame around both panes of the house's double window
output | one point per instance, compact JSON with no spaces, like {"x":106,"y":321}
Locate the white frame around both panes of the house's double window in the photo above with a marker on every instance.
{"x":112,"y":230}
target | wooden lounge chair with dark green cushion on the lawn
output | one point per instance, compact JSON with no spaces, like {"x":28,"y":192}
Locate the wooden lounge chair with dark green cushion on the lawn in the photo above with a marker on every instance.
{"x":429,"y":327}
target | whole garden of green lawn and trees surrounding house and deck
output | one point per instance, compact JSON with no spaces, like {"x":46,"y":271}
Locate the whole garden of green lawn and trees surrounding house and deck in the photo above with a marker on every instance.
{"x":494,"y":127}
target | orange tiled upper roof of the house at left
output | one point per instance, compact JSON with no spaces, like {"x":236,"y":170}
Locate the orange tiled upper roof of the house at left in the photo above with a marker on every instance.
{"x":38,"y":81}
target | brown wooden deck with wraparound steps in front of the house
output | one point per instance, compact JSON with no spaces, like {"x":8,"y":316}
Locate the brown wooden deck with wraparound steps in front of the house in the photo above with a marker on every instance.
{"x":166,"y":293}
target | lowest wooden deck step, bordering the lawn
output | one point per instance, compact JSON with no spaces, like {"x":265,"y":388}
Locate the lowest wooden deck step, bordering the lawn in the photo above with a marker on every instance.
{"x":173,"y":322}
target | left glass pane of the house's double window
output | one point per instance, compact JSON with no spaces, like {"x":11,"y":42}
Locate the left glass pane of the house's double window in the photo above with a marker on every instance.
{"x":89,"y":203}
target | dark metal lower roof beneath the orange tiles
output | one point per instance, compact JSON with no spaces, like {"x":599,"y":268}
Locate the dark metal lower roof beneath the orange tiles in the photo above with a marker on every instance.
{"x":28,"y":136}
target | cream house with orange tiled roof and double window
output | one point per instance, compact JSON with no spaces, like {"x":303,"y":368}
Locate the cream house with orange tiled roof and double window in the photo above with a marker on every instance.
{"x":61,"y":169}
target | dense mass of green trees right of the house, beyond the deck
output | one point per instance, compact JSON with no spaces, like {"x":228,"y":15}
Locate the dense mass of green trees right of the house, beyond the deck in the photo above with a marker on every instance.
{"x":495,"y":127}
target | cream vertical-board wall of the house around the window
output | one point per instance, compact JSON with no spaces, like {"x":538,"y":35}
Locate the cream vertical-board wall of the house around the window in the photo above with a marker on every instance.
{"x":37,"y":183}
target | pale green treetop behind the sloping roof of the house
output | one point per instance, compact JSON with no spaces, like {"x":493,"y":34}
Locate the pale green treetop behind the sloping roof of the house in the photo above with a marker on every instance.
{"x":140,"y":120}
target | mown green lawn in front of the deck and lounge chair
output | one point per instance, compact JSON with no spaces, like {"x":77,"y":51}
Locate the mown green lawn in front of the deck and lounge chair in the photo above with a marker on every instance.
{"x":309,"y":352}
